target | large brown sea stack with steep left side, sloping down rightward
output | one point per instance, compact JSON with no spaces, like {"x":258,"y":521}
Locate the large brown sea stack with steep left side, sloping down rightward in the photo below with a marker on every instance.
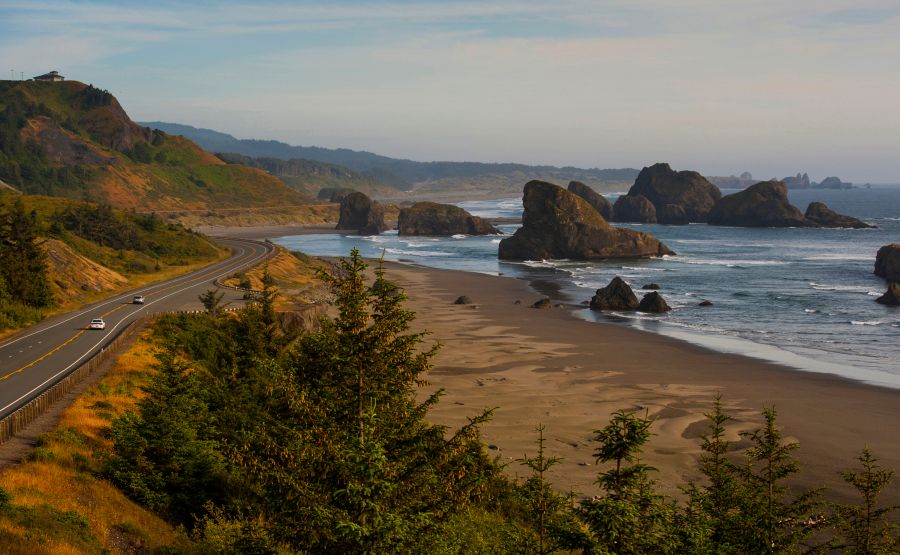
{"x":559,"y":224}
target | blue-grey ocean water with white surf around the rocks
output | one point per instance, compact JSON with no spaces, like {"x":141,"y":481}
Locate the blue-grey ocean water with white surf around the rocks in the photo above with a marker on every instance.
{"x":801,"y":297}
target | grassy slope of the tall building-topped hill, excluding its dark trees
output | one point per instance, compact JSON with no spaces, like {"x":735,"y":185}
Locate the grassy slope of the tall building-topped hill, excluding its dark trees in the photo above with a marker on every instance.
{"x":175,"y":173}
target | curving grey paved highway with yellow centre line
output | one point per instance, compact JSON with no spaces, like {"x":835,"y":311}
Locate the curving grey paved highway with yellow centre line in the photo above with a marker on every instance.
{"x":34,"y":359}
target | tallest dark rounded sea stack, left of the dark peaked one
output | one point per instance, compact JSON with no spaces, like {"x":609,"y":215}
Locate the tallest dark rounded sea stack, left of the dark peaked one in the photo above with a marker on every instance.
{"x":678,"y":197}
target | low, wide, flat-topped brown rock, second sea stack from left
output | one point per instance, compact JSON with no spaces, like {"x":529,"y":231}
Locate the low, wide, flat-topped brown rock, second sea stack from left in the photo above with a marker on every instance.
{"x":431,"y":218}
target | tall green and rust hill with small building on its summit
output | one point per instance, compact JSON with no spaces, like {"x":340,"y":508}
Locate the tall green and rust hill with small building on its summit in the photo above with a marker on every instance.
{"x":75,"y":140}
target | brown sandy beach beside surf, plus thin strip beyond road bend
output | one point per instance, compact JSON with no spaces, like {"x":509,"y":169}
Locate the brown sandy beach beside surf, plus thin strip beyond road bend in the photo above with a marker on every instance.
{"x":555,"y":368}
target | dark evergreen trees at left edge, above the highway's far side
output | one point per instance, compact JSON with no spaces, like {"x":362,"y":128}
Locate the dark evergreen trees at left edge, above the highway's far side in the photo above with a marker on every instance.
{"x":24,"y":287}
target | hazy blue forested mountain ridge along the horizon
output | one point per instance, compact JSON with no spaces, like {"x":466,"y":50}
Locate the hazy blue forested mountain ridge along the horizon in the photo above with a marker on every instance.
{"x":399,"y":172}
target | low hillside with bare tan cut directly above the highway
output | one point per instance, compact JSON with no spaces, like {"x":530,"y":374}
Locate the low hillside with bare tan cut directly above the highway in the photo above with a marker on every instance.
{"x":56,"y":253}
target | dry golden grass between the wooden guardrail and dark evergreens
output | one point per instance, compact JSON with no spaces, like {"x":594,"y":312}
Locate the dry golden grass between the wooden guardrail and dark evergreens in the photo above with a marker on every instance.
{"x":61,"y":475}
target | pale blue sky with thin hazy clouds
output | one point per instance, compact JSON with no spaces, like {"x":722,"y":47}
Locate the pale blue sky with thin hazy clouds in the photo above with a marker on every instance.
{"x":717,"y":86}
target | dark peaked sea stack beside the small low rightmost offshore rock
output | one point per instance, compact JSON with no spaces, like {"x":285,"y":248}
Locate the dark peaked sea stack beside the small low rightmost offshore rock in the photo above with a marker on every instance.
{"x":762,"y":205}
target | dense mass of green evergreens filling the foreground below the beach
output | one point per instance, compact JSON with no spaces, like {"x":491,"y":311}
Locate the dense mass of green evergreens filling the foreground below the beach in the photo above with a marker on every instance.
{"x":262,"y":441}
